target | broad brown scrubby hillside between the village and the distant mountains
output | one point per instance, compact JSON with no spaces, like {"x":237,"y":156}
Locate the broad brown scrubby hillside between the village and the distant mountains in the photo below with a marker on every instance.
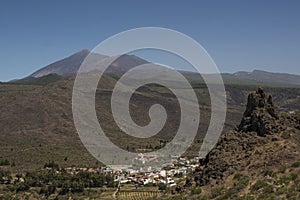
{"x":37,"y":124}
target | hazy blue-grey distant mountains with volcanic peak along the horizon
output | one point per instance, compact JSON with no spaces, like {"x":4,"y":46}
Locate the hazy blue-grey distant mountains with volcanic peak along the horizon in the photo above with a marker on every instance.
{"x":70,"y":65}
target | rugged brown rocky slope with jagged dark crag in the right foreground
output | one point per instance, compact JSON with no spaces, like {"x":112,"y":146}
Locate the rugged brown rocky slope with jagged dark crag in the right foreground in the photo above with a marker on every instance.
{"x":258,"y":160}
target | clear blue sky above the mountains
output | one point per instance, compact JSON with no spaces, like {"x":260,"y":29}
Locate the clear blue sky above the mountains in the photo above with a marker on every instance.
{"x":239,"y":35}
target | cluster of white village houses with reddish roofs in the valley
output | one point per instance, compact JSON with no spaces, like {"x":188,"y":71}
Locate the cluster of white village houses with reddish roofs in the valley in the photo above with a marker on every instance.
{"x":168,"y":174}
